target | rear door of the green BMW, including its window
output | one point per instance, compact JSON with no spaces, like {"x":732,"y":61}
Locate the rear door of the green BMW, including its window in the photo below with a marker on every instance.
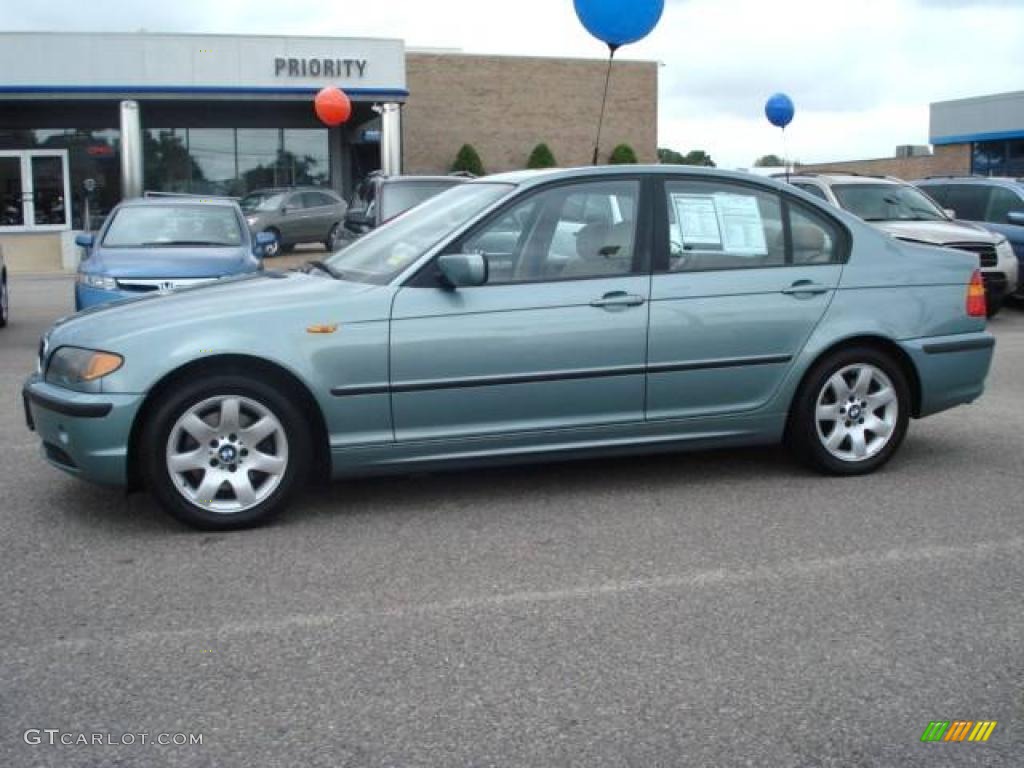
{"x":743,"y":277}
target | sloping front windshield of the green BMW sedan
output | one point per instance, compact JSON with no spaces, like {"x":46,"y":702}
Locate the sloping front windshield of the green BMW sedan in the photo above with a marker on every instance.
{"x":382,"y":254}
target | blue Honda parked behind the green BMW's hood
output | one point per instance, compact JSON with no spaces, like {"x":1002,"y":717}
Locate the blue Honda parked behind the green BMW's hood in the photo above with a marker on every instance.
{"x":158,"y":245}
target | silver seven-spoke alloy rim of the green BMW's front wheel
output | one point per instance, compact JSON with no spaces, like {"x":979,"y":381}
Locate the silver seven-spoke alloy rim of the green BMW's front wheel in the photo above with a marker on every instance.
{"x":227,"y":454}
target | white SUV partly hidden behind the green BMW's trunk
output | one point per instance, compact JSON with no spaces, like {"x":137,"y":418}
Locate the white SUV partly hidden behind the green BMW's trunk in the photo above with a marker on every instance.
{"x":902,"y":210}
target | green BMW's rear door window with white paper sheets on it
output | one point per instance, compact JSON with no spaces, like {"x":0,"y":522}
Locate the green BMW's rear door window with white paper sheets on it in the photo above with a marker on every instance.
{"x":715,"y":226}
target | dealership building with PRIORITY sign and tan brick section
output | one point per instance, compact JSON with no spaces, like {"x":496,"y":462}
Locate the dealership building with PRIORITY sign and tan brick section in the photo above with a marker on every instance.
{"x":82,"y":116}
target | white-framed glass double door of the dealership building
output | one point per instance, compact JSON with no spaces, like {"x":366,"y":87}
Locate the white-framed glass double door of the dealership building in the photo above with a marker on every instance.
{"x":34,"y":191}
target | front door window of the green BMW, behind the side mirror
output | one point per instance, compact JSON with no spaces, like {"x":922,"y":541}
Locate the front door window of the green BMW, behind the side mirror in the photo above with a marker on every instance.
{"x":567,"y":233}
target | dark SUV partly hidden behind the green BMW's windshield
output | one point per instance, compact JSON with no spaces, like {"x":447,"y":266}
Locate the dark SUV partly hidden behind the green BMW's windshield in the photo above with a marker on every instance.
{"x":378,"y":199}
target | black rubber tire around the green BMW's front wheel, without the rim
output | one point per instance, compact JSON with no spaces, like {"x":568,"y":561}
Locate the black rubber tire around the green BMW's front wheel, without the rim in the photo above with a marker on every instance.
{"x":157,"y":433}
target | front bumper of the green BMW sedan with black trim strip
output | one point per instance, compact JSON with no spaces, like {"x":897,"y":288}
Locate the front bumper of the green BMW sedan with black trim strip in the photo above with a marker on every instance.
{"x":86,"y":435}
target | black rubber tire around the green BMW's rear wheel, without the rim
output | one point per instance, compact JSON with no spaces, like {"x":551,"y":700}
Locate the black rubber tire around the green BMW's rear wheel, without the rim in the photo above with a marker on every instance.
{"x":803,"y":431}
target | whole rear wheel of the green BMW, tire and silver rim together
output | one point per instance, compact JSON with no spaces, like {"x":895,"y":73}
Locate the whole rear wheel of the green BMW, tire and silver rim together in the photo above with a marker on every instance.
{"x":851,"y":413}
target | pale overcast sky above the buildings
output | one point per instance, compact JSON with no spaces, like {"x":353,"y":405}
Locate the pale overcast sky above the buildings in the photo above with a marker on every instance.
{"x":861,"y":72}
